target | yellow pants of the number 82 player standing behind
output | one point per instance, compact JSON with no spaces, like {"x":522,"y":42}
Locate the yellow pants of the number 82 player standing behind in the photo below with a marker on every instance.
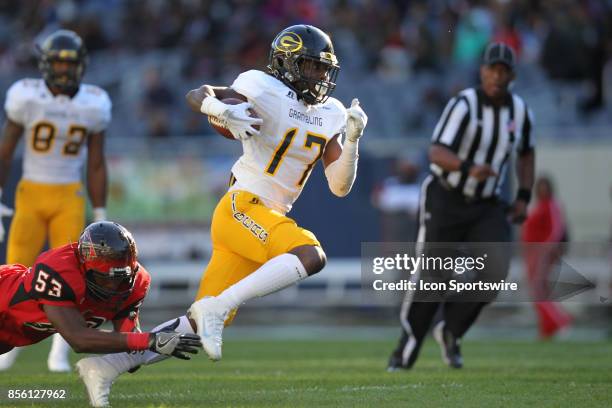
{"x":53,"y":211}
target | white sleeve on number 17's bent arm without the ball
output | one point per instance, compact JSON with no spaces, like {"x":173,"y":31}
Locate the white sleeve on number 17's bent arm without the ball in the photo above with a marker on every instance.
{"x":342,"y":172}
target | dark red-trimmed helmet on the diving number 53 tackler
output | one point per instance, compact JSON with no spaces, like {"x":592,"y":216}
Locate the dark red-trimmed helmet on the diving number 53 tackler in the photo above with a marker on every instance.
{"x":108,"y":255}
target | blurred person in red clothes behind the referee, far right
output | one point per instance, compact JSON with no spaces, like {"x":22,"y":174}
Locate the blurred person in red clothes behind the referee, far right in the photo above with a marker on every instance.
{"x":545,"y":234}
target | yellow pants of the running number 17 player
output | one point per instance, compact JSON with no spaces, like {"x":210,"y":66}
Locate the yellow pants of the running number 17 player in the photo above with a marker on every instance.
{"x":245,"y":235}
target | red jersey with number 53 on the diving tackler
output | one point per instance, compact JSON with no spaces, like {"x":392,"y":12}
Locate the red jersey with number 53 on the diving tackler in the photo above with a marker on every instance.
{"x":57,"y":279}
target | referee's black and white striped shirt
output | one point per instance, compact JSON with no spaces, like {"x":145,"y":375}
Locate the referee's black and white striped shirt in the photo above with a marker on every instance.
{"x":481,"y":133}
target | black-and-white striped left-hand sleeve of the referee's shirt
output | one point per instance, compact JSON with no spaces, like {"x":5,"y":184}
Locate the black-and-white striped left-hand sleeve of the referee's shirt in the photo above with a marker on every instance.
{"x":452,"y":124}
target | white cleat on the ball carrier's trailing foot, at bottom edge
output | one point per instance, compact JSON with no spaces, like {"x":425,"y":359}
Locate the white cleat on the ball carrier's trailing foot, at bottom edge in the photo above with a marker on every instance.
{"x":98,"y":376}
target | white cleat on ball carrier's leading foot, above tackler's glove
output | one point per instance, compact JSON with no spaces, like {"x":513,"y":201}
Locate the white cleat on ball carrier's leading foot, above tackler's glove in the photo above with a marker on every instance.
{"x":209,"y":316}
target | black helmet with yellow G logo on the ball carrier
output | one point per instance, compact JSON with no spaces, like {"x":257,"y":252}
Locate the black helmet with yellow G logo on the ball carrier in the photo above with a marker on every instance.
{"x":302,"y":57}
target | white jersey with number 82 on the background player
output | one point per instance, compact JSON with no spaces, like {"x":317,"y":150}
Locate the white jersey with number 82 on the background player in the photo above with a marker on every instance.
{"x":56,"y":128}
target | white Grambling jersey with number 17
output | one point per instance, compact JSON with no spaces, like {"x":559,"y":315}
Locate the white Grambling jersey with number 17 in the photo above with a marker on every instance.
{"x":276,"y":164}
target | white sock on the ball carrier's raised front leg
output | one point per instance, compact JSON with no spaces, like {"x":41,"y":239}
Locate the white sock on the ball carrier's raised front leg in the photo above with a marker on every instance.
{"x":276,"y":274}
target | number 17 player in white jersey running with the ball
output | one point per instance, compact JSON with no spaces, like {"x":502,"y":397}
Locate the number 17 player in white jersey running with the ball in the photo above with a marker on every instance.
{"x":257,"y":249}
